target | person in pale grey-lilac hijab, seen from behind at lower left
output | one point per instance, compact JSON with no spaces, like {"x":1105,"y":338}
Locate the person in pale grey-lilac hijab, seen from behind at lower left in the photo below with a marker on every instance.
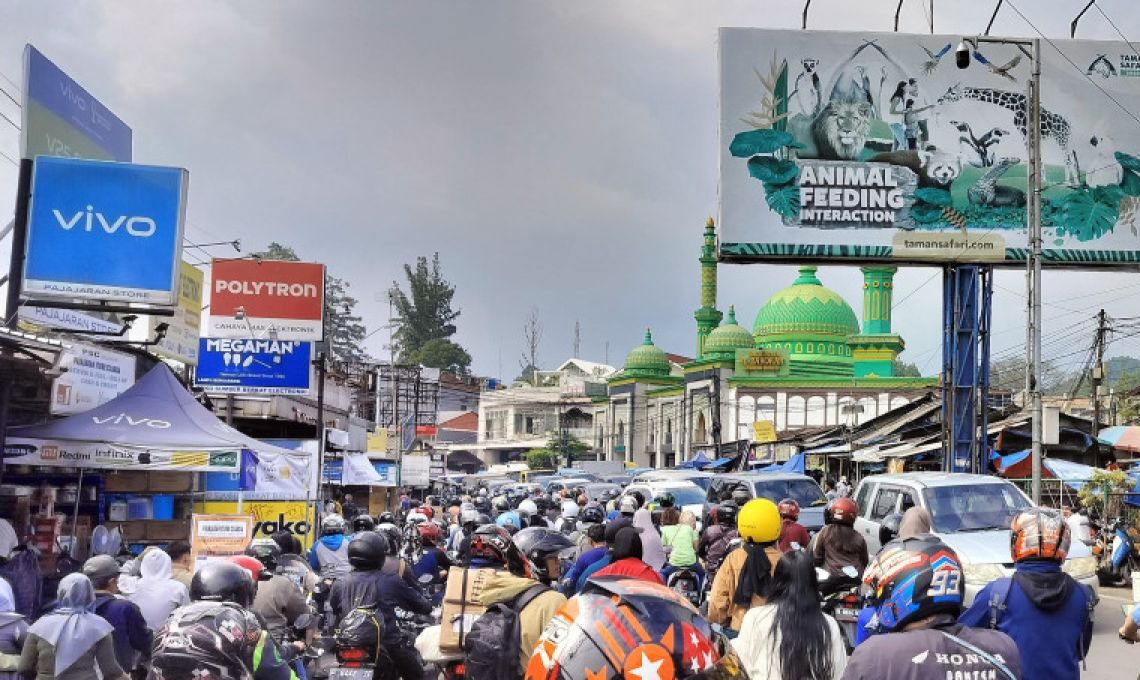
{"x":72,"y":643}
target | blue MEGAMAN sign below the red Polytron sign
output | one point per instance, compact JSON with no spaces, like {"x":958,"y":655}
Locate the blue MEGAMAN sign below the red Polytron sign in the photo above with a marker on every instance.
{"x":255,"y":367}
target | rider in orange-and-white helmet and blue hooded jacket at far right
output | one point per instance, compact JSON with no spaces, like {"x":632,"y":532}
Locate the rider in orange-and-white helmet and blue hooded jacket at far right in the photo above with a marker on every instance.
{"x":1040,"y":608}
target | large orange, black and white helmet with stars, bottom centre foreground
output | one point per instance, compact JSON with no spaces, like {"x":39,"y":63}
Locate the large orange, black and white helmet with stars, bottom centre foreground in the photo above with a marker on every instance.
{"x":624,"y":629}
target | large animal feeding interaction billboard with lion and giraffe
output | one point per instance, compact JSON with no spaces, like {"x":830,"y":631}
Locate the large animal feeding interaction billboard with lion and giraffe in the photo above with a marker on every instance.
{"x":868,"y":148}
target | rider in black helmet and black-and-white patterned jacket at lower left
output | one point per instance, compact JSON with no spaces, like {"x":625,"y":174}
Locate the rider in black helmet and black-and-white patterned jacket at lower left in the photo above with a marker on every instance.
{"x":217,"y":636}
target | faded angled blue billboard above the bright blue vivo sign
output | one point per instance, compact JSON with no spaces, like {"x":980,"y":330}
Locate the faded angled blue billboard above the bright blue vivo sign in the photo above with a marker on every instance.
{"x":62,"y":119}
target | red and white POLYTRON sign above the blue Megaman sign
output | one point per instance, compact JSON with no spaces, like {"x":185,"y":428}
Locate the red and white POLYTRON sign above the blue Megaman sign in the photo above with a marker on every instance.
{"x":267,"y":299}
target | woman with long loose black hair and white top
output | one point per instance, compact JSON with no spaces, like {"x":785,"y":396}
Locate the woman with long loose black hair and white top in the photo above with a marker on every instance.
{"x":789,"y":637}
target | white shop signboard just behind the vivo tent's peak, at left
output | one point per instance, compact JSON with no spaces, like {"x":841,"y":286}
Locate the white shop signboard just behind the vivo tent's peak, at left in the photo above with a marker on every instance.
{"x":93,"y":376}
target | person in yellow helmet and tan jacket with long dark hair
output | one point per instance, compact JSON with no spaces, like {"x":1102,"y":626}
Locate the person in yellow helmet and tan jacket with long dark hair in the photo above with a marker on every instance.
{"x":743,"y":581}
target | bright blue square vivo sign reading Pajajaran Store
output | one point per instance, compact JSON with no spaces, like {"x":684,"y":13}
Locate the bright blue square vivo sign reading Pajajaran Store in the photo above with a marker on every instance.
{"x":104,"y":231}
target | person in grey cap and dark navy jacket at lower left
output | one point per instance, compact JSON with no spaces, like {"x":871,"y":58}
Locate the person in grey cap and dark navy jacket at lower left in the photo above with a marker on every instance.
{"x":132,"y":636}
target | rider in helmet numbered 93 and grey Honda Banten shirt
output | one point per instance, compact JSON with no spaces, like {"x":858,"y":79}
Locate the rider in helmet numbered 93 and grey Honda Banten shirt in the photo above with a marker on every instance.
{"x":917,"y":588}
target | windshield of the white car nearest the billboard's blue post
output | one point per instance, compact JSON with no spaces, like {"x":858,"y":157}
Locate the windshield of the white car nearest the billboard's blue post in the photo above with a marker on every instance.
{"x":974,"y":508}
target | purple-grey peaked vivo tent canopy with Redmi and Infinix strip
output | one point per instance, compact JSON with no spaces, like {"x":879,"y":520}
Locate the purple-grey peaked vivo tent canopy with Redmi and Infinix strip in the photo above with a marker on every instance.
{"x":157,"y":425}
